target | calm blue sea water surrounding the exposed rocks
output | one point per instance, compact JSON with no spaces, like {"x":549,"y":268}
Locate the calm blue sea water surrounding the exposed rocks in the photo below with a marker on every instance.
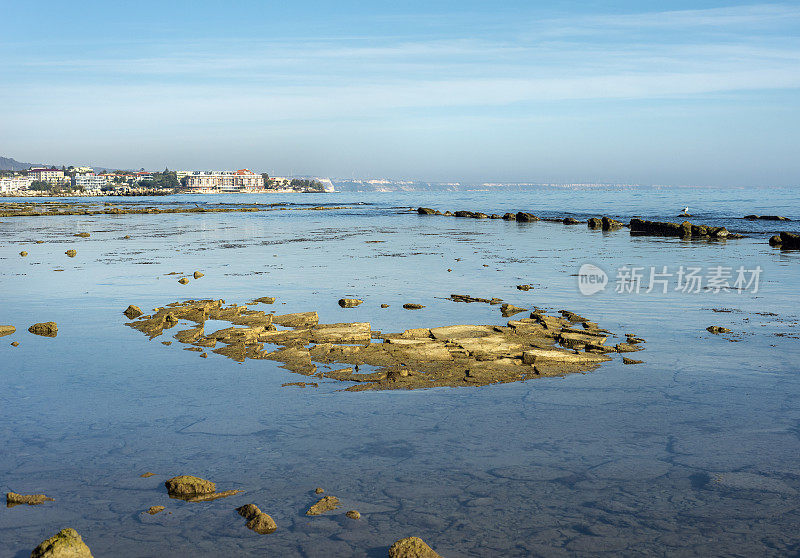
{"x":694,"y":452}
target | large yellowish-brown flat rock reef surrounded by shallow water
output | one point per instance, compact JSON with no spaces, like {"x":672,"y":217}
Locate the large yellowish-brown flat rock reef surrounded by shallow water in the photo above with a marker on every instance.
{"x":458,"y":355}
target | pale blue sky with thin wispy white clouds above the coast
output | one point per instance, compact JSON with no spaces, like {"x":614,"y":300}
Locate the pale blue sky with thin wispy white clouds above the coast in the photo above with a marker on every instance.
{"x":704,"y":93}
